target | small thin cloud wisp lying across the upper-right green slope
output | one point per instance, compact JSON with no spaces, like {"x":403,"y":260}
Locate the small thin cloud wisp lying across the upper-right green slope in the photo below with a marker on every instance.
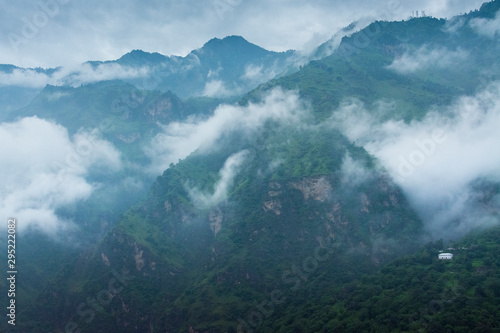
{"x":425,"y":58}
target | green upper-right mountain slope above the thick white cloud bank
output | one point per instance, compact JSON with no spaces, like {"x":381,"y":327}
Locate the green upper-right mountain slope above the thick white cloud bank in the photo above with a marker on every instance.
{"x":415,"y":64}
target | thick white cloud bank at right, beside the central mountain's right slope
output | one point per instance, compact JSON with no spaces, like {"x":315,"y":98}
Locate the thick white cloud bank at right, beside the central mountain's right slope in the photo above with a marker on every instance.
{"x":439,"y":160}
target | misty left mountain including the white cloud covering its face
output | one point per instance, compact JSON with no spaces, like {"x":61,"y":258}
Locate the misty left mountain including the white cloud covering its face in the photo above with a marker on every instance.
{"x":104,"y":129}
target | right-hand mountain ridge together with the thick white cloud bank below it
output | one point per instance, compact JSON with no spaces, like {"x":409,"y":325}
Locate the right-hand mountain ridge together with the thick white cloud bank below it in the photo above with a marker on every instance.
{"x":395,"y":87}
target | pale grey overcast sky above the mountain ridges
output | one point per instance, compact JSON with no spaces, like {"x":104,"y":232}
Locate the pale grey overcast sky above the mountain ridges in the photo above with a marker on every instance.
{"x":49,"y":33}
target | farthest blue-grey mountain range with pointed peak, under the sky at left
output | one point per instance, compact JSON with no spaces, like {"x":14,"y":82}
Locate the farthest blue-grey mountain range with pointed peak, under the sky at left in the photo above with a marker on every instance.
{"x":221,"y":68}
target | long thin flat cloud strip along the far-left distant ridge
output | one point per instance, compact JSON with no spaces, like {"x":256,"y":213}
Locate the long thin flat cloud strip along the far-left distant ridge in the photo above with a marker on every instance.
{"x":75,"y":76}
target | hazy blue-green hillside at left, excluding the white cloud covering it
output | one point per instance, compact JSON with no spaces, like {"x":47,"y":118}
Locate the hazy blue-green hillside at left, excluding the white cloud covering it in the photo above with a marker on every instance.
{"x":121,"y":115}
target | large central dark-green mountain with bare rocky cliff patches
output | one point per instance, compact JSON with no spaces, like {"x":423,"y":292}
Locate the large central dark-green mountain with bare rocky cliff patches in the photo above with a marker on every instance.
{"x":202,"y":262}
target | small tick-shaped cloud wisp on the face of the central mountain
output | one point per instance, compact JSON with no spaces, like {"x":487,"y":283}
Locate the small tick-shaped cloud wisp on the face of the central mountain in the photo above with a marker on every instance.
{"x":231,"y":168}
